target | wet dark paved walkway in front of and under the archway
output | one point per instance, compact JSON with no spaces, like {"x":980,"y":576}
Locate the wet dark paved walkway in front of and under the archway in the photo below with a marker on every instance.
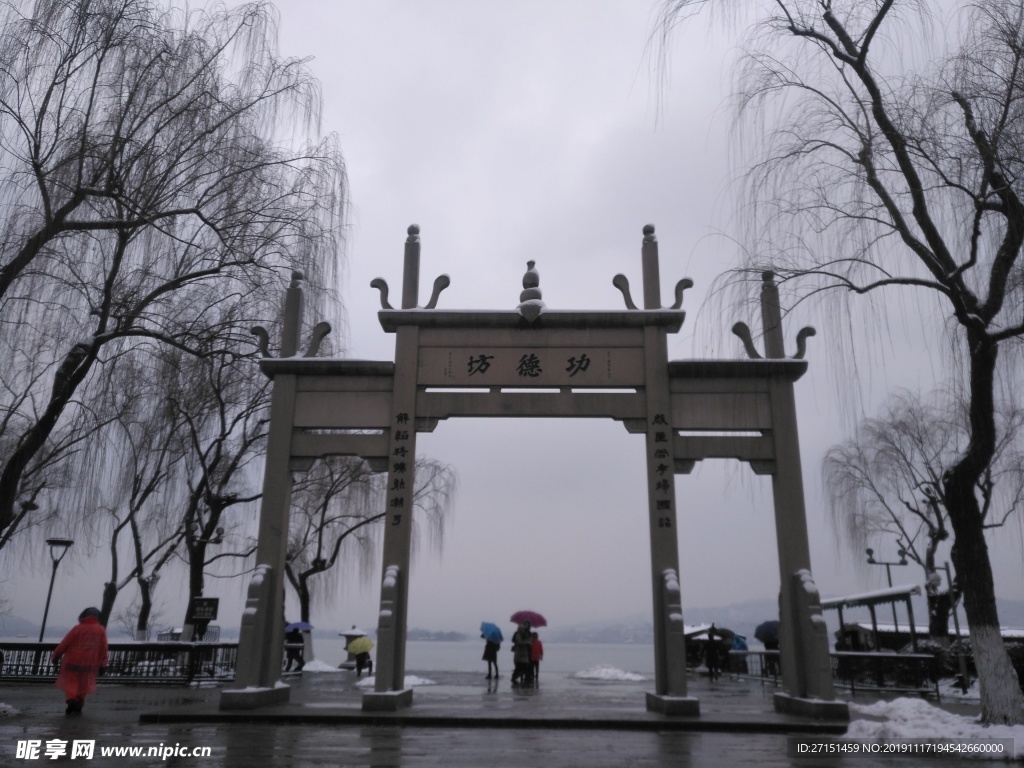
{"x":458,"y":721}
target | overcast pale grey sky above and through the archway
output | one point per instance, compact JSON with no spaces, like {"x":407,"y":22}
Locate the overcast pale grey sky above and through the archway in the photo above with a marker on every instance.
{"x":541,"y":131}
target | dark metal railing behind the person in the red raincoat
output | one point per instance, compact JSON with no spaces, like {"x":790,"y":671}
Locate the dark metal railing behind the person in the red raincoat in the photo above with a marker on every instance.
{"x":170,"y":664}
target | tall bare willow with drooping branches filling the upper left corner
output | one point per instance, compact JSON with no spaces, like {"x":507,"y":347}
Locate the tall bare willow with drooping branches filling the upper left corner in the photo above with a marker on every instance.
{"x":157,"y":167}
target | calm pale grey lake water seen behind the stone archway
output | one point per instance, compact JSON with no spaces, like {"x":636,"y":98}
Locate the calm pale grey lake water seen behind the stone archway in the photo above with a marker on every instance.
{"x":567,"y":659}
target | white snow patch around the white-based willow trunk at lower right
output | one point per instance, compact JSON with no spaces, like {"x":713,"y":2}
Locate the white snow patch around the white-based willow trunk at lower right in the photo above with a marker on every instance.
{"x":915,"y":718}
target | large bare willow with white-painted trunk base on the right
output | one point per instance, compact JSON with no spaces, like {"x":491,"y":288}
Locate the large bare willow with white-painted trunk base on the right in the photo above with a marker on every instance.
{"x":888,"y":150}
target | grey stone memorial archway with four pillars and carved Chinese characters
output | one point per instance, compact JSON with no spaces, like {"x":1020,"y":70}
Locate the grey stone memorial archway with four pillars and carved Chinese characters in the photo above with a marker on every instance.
{"x":485,"y":364}
